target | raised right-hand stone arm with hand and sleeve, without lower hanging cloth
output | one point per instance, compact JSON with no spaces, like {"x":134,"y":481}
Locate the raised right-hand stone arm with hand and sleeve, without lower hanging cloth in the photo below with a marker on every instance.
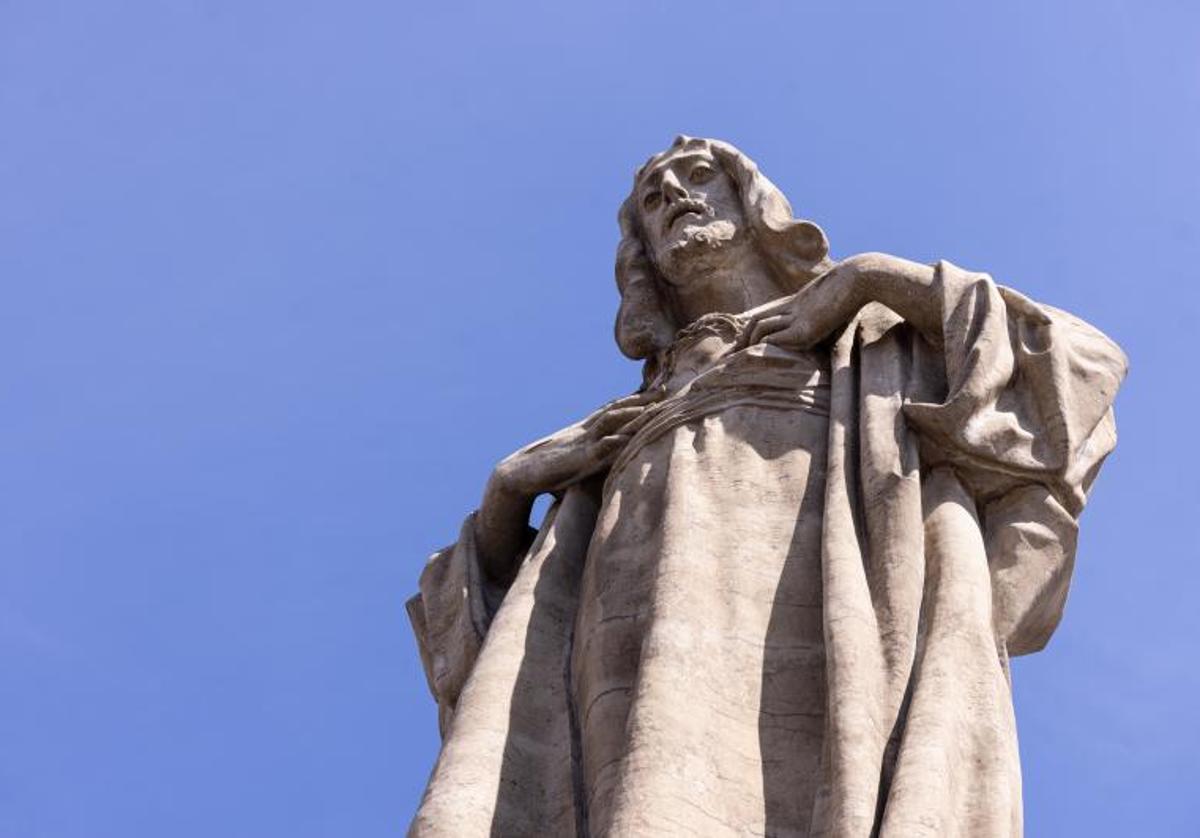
{"x":1029,"y":390}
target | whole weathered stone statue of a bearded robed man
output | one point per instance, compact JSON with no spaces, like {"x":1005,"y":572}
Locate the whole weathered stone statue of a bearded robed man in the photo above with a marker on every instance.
{"x":779,"y":588}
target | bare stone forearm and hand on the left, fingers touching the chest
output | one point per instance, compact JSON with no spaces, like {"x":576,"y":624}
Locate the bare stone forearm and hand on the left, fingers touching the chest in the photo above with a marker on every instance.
{"x":550,"y":465}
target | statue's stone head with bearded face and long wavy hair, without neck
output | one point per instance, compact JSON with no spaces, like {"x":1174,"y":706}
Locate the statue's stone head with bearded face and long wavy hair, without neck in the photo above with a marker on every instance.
{"x":693,"y":209}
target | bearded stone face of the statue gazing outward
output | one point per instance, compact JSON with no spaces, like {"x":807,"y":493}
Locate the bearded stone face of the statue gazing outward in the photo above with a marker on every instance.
{"x":691,"y":212}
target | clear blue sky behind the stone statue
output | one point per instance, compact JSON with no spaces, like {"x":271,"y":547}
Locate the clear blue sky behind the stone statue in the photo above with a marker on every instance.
{"x":284,"y":280}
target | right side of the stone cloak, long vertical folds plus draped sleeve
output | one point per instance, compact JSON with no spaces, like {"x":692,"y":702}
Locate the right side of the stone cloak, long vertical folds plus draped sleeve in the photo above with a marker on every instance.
{"x":956,"y":476}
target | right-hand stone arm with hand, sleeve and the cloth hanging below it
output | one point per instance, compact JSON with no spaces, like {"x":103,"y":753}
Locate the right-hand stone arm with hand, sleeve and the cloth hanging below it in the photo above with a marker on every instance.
{"x":1016,"y":397}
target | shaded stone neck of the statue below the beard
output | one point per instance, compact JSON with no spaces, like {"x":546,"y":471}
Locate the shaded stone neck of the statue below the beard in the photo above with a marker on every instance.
{"x":733,"y":286}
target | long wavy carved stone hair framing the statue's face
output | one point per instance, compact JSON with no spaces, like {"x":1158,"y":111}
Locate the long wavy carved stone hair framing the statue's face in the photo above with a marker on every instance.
{"x":796,"y":250}
